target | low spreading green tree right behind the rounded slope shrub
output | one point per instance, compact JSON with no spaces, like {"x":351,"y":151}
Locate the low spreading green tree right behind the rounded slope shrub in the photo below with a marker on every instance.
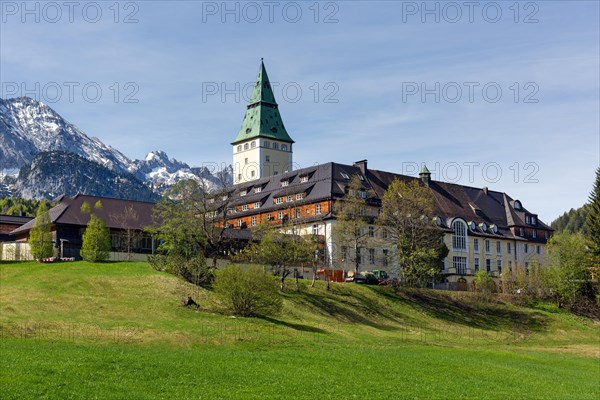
{"x":281,"y":251}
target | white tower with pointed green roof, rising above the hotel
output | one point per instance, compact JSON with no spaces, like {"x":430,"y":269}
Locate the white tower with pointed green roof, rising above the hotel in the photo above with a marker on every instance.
{"x":262,"y":147}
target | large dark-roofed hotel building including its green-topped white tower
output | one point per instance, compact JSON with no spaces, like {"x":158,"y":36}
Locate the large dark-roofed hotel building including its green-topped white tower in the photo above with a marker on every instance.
{"x":483,"y":228}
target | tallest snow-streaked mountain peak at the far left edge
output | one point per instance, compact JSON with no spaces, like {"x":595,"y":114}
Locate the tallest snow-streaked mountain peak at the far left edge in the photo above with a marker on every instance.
{"x":28,"y":127}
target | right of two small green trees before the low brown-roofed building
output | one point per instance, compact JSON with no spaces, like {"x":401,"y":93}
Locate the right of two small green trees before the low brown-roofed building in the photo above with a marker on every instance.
{"x":96,"y":238}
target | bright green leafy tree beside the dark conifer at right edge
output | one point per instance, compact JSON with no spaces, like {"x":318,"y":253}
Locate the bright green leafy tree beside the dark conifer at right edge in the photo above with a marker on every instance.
{"x":566,"y":275}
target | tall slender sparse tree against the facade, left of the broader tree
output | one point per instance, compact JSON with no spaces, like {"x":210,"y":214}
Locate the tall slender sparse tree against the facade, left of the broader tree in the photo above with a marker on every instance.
{"x":351,"y":226}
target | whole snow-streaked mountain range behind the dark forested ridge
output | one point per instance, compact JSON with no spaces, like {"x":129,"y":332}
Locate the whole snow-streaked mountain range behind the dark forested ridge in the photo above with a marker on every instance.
{"x":29,"y":127}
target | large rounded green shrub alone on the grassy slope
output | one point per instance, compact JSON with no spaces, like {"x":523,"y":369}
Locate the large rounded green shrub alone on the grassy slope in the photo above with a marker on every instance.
{"x":248,"y":293}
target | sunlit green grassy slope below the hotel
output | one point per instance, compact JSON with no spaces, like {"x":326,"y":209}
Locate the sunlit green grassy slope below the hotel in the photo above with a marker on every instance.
{"x":80,"y":330}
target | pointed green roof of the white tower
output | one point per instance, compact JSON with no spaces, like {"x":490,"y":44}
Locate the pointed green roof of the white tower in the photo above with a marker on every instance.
{"x":262,"y":117}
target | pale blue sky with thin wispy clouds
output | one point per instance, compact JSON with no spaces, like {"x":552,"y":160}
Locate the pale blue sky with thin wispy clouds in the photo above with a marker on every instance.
{"x":487,"y":94}
